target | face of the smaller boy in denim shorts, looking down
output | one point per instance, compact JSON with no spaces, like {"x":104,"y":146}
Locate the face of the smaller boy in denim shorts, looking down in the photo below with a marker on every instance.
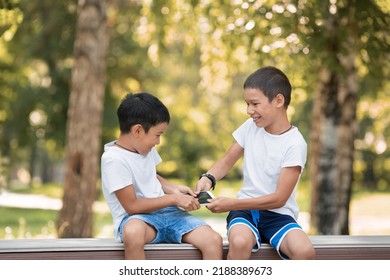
{"x":151,"y":139}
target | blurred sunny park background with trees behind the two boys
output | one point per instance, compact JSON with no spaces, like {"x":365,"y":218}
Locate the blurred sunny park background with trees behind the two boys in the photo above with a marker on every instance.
{"x":64,"y":67}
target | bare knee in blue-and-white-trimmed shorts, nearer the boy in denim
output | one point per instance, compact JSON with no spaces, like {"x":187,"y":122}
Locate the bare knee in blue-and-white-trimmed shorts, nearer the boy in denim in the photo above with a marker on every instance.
{"x":241,"y":241}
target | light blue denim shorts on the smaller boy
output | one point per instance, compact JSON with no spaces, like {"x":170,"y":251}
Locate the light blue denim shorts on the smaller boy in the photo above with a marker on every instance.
{"x":171,"y":223}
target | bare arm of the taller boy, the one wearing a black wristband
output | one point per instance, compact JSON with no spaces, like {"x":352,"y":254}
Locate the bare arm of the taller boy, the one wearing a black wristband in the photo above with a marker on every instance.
{"x":221,"y":167}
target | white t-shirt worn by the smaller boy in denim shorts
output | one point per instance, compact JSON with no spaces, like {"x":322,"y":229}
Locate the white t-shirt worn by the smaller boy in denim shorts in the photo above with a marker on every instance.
{"x":121,"y":168}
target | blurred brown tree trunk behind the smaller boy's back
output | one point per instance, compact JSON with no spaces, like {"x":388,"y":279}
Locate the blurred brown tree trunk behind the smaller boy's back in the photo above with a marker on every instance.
{"x":84,"y":120}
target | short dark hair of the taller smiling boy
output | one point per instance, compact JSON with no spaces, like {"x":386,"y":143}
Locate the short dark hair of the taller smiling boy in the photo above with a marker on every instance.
{"x":271,"y":81}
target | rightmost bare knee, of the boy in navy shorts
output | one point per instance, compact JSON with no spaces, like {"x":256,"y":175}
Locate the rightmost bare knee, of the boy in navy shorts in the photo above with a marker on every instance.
{"x":297,"y":246}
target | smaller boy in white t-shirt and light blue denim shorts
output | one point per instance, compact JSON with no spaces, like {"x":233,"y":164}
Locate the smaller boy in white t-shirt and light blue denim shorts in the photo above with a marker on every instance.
{"x":145,"y":206}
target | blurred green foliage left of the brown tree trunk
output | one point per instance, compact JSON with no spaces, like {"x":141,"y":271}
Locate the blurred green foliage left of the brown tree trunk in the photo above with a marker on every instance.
{"x":36,"y":70}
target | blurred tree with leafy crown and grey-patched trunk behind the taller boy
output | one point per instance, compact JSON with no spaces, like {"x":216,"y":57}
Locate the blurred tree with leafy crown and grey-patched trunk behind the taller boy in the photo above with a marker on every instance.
{"x":352,"y":40}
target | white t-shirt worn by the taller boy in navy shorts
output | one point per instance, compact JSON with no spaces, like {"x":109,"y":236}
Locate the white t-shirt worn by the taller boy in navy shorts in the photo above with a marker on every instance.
{"x":265,"y":155}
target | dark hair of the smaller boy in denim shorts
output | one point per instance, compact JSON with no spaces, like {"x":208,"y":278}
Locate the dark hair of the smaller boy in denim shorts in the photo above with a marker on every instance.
{"x":141,"y":108}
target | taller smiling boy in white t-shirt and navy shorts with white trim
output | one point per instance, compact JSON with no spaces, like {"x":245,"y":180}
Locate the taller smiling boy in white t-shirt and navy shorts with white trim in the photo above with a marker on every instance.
{"x":274,"y":153}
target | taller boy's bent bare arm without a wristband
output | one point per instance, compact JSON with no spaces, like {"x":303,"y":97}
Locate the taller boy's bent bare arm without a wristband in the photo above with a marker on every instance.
{"x":287,"y":180}
